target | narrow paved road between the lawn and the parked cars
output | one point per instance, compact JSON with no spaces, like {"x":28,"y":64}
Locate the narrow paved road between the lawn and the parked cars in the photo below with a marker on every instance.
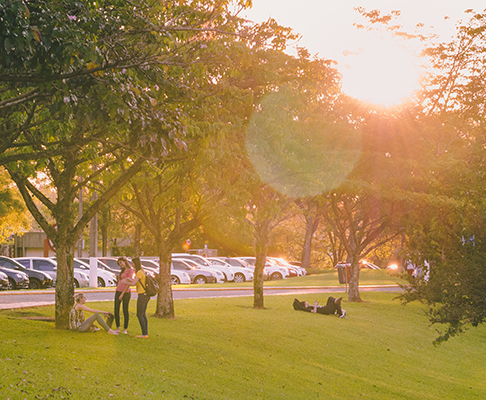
{"x":25,"y":299}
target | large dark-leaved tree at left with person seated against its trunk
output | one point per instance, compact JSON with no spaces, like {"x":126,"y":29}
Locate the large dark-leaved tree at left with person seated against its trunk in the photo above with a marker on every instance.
{"x":84,"y":99}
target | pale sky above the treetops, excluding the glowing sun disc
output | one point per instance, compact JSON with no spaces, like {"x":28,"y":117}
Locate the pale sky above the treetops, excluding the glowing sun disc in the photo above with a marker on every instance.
{"x":327,"y":28}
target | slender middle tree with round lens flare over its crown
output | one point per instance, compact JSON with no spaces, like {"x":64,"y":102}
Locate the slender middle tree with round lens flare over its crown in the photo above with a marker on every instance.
{"x":276,"y":153}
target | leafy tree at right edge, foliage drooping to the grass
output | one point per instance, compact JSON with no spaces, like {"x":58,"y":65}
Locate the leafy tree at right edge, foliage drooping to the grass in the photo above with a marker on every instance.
{"x":450,"y":235}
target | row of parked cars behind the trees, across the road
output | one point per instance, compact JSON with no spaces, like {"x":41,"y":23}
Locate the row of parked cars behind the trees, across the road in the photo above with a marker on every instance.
{"x":41,"y":272}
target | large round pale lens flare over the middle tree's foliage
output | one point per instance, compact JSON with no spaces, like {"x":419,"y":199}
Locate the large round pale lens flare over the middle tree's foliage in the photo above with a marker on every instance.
{"x":299,"y":152}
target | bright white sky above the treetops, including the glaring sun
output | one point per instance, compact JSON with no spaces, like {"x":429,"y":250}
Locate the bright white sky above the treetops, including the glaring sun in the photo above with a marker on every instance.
{"x":375,"y":70}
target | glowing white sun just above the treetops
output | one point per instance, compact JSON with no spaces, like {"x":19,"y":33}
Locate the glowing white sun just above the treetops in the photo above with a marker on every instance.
{"x":383,"y":73}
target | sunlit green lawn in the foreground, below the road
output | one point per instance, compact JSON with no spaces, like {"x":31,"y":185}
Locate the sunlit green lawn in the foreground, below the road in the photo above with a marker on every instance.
{"x":224,"y":349}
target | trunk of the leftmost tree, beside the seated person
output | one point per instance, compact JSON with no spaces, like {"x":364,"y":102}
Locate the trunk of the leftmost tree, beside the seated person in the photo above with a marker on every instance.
{"x":65,"y":282}
